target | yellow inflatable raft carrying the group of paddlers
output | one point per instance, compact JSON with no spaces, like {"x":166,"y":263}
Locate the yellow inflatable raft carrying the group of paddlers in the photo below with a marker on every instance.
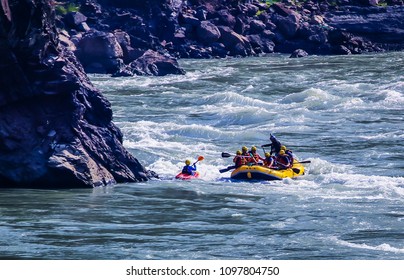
{"x":259,"y":172}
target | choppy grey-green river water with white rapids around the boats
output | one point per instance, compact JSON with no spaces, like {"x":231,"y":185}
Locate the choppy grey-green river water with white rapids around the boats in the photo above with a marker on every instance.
{"x":344,"y":113}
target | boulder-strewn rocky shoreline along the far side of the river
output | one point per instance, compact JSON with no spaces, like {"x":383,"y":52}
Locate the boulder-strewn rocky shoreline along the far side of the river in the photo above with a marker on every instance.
{"x":126,"y":38}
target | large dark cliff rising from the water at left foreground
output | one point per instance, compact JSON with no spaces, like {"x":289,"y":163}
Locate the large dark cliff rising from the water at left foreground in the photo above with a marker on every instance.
{"x":56,"y":129}
